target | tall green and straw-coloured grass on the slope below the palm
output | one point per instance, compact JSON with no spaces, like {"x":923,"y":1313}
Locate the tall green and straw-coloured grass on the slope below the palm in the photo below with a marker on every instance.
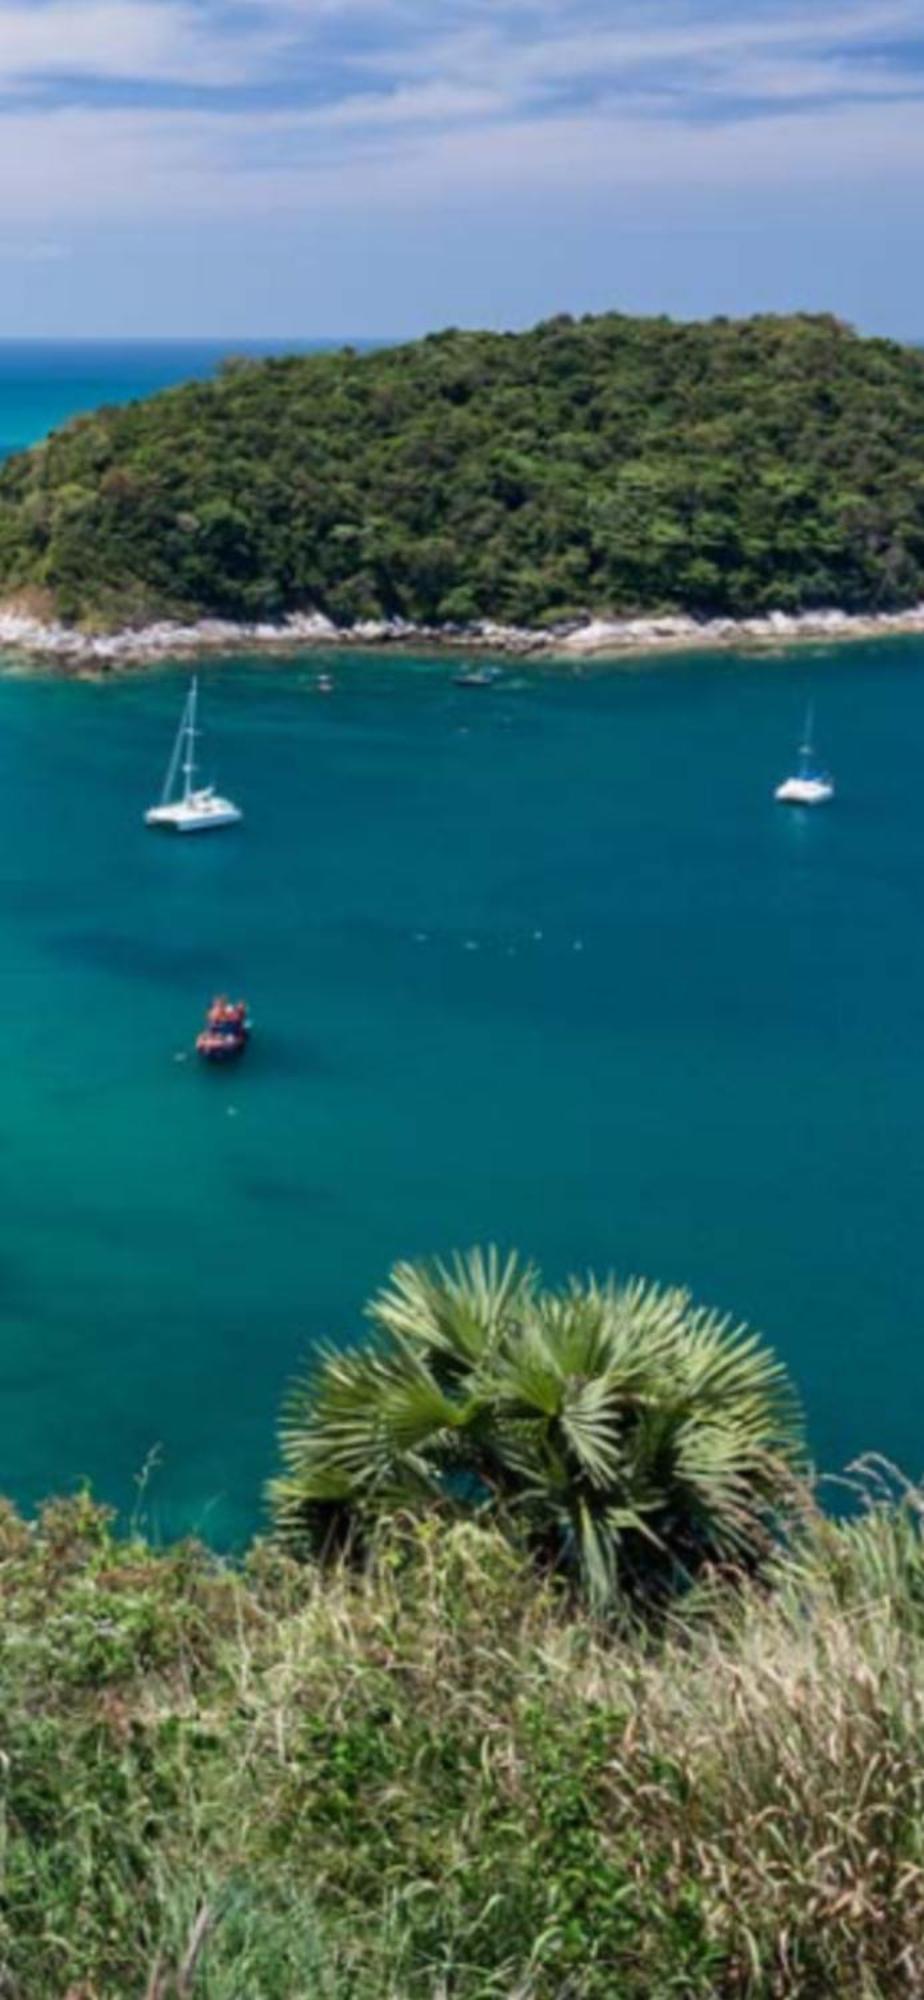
{"x":437,"y":1779}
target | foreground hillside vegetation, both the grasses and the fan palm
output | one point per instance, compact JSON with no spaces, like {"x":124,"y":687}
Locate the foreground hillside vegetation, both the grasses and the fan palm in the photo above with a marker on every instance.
{"x":453,"y":1755}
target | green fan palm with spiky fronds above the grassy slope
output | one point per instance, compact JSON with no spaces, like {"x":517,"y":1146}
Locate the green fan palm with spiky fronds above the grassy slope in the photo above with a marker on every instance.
{"x":631,"y":1437}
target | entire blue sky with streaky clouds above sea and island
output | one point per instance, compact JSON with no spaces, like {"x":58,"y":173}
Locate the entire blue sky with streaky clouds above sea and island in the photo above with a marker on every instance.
{"x":373,"y":169}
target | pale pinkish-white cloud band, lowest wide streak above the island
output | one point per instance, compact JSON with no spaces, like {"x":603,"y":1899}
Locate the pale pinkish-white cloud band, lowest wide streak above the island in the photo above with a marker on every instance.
{"x":79,"y":167}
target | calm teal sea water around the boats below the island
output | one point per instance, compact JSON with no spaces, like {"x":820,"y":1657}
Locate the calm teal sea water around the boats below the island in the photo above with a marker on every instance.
{"x":541,"y":965}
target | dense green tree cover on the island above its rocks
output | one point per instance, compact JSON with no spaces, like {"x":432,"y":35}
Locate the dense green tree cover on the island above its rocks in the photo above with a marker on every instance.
{"x":607,"y":465}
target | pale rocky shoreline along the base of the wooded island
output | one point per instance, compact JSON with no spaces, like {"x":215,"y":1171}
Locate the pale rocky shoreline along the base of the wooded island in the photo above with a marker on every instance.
{"x":599,"y":639}
